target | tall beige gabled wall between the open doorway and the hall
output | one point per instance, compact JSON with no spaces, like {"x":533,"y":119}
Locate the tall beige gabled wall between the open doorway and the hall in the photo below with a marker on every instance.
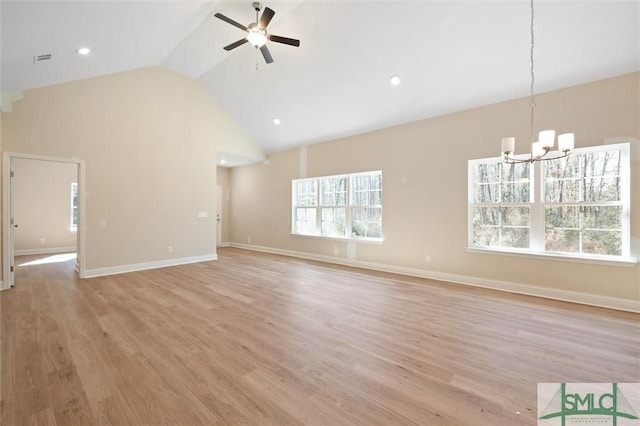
{"x":149,"y":140}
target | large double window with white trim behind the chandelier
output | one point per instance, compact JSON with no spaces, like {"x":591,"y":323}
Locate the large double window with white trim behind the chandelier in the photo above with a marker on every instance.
{"x":582,"y":208}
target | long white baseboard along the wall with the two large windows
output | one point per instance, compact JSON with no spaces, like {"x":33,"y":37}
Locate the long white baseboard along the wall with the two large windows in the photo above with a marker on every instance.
{"x":530,"y":290}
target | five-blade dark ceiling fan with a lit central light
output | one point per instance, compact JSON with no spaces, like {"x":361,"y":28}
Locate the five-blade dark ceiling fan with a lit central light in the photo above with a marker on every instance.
{"x":257,"y":32}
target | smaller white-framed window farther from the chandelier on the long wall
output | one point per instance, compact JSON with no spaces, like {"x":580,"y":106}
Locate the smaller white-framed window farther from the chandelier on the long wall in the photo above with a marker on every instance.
{"x":343,"y":206}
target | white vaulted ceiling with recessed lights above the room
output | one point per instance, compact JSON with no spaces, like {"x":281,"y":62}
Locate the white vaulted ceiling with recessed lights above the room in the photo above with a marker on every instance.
{"x":450,"y":55}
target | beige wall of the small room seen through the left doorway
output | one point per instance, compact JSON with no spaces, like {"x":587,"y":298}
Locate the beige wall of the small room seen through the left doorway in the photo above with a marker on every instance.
{"x":42,"y":205}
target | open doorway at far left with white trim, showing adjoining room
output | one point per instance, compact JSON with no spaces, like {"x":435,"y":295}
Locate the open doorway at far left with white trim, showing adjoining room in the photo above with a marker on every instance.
{"x":43,"y":200}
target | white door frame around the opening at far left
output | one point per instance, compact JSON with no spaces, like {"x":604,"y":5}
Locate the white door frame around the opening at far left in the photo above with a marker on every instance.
{"x":7,"y":201}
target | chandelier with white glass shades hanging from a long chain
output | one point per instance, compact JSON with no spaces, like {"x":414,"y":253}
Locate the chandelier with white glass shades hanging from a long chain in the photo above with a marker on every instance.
{"x":540,"y":149}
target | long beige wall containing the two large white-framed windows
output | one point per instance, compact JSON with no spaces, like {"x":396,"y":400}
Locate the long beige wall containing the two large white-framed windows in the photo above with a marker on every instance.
{"x":424,"y":168}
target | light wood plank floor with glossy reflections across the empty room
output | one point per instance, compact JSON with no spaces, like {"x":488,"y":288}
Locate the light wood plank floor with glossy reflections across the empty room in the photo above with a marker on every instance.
{"x":261,"y":339}
